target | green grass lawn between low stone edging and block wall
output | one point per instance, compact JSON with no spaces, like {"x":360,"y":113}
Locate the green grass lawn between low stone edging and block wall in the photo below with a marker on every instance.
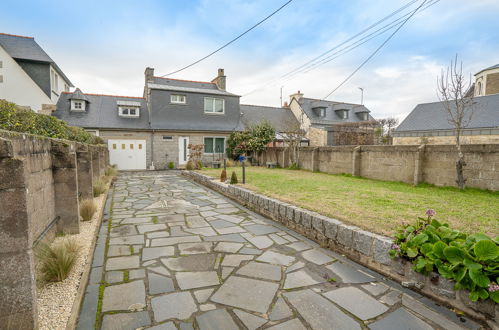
{"x":378,"y":206}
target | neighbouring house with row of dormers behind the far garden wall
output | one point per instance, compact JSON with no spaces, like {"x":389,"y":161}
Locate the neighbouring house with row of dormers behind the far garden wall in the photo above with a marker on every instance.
{"x":320,"y":117}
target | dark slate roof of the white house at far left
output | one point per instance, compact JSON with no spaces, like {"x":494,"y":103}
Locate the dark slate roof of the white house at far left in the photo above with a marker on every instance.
{"x":26,"y":48}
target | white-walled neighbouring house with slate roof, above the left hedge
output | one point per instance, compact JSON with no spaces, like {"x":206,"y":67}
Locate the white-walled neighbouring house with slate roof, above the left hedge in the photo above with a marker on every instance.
{"x":28,"y":76}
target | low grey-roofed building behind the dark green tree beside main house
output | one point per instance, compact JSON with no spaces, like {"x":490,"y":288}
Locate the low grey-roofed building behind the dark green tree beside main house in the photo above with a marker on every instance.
{"x":282,"y":119}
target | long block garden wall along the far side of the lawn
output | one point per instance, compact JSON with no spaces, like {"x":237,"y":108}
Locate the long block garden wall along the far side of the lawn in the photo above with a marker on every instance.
{"x":434,"y":164}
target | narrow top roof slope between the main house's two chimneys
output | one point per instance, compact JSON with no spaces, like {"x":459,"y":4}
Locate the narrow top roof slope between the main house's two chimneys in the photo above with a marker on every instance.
{"x":187,"y":86}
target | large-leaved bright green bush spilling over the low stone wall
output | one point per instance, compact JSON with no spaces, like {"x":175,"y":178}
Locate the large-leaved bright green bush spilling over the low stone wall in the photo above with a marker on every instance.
{"x":472,"y":261}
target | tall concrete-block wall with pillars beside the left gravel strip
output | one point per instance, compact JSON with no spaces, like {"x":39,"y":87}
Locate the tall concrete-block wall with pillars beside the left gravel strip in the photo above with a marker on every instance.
{"x":41,"y":180}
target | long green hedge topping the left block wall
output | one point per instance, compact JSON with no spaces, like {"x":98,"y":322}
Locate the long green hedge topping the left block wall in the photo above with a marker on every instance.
{"x":13,"y":118}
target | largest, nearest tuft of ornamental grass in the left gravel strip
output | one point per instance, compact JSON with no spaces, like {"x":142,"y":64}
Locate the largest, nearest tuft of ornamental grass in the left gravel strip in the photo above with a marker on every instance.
{"x":56,"y":261}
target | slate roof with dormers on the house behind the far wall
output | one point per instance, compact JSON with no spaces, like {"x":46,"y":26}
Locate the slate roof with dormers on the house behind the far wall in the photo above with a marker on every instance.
{"x":308,"y":105}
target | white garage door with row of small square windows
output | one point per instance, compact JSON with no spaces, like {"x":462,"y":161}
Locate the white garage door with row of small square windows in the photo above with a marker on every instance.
{"x":128,"y":154}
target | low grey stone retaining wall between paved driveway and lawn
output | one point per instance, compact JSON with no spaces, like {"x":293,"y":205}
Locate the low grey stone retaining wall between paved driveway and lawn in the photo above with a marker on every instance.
{"x":362,"y":246}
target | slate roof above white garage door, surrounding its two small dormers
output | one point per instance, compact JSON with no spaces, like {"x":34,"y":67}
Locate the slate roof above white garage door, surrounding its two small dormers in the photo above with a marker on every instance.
{"x":101,"y":112}
